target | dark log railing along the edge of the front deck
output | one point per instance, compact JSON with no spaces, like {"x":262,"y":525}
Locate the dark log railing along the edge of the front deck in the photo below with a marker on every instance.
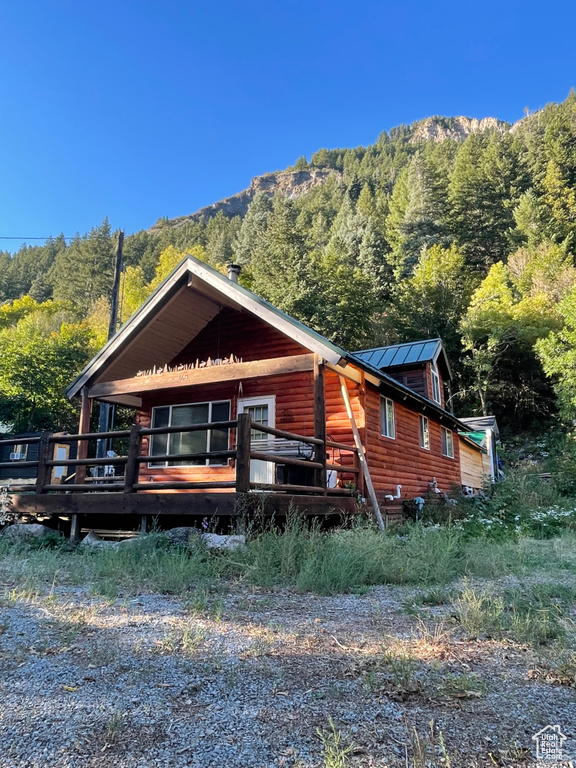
{"x":126,"y":477}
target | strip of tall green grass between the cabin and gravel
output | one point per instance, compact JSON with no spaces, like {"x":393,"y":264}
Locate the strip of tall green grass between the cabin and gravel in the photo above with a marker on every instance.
{"x":307,"y":558}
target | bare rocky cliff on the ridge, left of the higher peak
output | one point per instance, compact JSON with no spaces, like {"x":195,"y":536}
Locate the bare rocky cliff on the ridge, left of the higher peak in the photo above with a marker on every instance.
{"x":291,"y":184}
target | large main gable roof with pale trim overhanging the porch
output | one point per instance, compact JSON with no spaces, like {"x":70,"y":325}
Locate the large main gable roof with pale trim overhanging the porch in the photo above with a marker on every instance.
{"x":200,"y":291}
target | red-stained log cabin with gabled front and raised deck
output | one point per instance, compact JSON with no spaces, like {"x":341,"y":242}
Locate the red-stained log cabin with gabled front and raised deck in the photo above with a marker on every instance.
{"x":233,"y":396}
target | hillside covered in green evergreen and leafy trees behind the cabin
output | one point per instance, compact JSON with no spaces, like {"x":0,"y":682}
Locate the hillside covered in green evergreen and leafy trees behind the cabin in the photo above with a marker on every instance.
{"x":433,"y":230}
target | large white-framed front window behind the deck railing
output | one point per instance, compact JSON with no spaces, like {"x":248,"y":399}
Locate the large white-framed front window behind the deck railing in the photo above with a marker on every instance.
{"x":202,"y":441}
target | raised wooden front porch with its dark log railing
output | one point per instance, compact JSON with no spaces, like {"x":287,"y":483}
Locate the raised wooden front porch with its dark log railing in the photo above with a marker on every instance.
{"x":330,"y":475}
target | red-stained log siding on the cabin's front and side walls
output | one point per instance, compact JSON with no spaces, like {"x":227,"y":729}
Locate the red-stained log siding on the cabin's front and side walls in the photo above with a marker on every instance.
{"x":391,"y":462}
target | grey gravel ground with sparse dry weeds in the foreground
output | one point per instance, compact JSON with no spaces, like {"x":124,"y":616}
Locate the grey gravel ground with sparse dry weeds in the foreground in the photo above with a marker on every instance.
{"x":246,"y":678}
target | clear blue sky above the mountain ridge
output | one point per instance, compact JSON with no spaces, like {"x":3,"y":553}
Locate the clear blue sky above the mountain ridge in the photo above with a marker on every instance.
{"x":138,"y":109}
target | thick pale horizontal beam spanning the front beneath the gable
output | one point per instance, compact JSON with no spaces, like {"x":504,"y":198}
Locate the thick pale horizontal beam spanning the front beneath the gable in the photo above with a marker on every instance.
{"x":274,"y":366}
